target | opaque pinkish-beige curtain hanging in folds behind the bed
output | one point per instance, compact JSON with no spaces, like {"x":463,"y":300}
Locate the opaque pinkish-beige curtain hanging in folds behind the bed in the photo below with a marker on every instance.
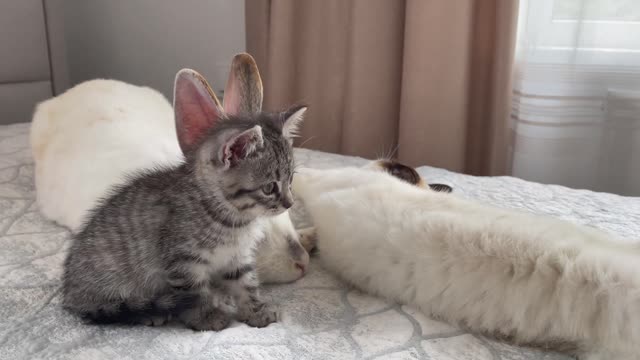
{"x":430,"y":77}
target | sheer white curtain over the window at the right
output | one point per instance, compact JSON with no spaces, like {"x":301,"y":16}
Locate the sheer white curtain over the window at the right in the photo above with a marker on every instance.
{"x":576,"y":107}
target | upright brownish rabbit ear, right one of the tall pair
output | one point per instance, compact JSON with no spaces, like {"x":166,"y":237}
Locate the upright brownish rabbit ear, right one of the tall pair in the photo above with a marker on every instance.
{"x":243,"y":93}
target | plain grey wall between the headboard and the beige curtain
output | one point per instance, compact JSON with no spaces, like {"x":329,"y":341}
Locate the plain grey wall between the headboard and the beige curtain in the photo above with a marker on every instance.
{"x":145,"y":42}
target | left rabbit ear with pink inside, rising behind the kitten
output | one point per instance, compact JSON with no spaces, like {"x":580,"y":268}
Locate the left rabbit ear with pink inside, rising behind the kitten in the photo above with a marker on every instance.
{"x":196,"y":108}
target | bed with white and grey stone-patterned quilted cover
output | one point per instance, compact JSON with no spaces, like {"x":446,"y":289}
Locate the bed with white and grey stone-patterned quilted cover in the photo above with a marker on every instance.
{"x":322,"y":318}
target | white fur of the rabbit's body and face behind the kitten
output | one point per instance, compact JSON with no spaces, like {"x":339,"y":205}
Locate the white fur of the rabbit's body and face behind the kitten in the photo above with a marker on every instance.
{"x":86,"y":140}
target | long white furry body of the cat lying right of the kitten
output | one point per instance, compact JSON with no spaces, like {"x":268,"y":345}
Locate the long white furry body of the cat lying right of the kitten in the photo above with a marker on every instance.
{"x":536,"y":280}
